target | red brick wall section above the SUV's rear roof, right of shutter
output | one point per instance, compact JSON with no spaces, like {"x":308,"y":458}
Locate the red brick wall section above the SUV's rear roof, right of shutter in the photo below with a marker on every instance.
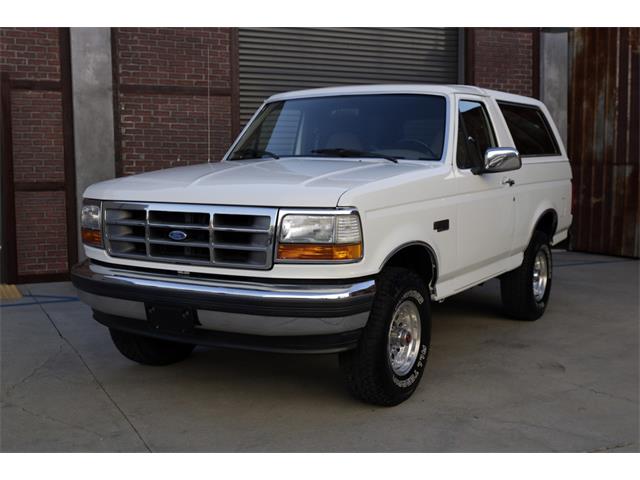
{"x":503,"y":59}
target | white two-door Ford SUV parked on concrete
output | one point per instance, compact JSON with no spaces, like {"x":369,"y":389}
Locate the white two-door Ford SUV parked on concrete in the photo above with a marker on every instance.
{"x":333,"y":221}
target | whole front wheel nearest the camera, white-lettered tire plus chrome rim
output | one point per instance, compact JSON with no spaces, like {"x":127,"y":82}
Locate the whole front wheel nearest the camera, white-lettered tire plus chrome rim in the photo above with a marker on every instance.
{"x":388,"y":363}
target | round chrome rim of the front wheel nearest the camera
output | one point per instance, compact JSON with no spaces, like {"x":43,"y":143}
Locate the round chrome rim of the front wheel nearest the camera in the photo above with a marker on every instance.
{"x":404,"y":338}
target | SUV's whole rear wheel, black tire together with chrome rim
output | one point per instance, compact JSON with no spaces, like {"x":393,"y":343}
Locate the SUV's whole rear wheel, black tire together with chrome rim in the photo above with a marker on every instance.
{"x":525,"y":290}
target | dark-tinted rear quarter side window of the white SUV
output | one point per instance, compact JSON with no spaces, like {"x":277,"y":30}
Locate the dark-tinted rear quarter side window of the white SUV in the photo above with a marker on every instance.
{"x":529,"y":129}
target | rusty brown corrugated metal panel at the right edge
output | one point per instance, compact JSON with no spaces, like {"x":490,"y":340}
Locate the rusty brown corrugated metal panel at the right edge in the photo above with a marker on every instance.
{"x":604,"y":140}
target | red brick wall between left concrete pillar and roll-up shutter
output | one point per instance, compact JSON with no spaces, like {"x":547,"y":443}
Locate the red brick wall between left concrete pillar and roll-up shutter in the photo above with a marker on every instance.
{"x":164,"y":124}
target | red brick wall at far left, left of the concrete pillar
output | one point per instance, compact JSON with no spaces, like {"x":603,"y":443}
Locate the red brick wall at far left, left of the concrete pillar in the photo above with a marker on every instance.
{"x":33,"y":54}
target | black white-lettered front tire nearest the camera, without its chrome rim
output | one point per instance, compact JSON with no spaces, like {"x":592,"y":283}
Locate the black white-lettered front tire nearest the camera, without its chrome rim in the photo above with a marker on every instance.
{"x":367,"y":369}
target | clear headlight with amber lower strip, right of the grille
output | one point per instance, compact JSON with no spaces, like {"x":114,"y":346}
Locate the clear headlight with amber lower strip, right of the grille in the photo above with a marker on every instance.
{"x":320,"y":237}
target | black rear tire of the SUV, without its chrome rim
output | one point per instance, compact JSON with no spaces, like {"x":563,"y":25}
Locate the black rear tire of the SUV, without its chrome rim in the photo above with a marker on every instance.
{"x":516,"y":287}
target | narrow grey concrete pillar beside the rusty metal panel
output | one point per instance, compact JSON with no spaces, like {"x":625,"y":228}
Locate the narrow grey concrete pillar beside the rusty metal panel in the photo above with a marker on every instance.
{"x":554,"y":75}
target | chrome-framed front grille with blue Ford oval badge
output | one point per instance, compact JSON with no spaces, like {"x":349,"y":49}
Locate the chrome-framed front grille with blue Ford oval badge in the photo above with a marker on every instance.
{"x":221,"y":236}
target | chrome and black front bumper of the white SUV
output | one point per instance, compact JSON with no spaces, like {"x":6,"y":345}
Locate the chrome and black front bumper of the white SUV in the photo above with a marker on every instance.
{"x":283,"y":316}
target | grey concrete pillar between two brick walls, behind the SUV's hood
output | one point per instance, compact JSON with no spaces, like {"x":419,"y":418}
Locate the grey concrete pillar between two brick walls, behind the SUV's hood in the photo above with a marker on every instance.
{"x":92,"y":82}
